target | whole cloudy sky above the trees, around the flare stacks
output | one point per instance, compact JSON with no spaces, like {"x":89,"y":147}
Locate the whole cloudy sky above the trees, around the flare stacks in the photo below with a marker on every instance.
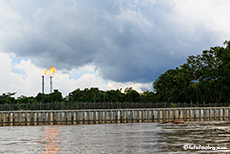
{"x":106,"y":44}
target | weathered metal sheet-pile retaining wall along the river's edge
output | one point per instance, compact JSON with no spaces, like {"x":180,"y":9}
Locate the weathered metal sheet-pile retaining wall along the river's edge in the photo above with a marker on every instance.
{"x":68,"y":117}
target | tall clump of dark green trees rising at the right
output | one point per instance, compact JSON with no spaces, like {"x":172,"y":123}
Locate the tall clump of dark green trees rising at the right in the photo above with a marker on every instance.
{"x":204,"y":77}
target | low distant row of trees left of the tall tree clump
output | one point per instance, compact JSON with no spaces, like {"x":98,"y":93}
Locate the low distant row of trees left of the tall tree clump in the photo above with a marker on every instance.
{"x":91,"y":95}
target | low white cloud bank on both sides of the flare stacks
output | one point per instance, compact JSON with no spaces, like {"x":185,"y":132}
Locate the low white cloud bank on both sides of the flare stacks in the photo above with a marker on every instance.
{"x":28,"y":81}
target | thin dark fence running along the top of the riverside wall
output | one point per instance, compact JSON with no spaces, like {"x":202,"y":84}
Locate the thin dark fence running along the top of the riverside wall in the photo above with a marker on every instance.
{"x":102,"y":105}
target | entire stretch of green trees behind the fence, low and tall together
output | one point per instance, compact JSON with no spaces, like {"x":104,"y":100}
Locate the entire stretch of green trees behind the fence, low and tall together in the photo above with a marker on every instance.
{"x":203,"y":78}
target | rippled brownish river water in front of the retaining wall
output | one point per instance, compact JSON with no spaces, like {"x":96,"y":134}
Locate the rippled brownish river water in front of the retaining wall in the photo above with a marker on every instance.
{"x":195,"y":137}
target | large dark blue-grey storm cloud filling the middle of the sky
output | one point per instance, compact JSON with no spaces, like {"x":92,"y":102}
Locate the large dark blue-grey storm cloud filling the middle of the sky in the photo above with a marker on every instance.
{"x":126,"y":41}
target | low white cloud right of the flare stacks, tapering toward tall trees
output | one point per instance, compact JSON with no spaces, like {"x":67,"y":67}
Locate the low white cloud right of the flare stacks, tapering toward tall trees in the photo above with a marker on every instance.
{"x":91,"y":78}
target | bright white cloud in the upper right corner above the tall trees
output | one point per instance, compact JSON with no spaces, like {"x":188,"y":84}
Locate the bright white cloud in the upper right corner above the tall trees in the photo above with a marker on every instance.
{"x":211,"y":14}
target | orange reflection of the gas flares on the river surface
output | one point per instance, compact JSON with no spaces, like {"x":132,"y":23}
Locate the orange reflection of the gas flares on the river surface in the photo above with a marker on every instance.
{"x":51,"y":139}
